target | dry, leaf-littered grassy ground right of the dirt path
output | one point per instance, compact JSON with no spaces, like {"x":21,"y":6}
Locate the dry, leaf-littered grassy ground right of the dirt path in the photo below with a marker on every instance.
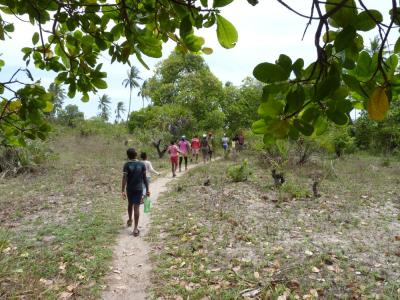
{"x":230,"y":240}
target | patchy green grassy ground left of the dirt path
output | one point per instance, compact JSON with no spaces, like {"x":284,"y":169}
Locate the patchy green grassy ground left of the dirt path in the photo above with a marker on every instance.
{"x":58,"y":225}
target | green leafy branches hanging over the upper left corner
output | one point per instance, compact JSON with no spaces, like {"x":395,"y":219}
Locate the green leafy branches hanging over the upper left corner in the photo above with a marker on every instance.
{"x":71,"y":35}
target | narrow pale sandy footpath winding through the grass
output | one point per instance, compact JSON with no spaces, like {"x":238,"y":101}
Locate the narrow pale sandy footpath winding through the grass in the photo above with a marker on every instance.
{"x":130,"y":274}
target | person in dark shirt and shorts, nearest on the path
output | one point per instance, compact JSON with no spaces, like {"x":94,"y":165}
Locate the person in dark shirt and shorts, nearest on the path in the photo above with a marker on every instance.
{"x":133,"y":179}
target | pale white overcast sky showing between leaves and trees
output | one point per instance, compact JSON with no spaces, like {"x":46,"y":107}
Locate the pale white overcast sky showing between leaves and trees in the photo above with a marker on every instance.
{"x":265,"y":31}
